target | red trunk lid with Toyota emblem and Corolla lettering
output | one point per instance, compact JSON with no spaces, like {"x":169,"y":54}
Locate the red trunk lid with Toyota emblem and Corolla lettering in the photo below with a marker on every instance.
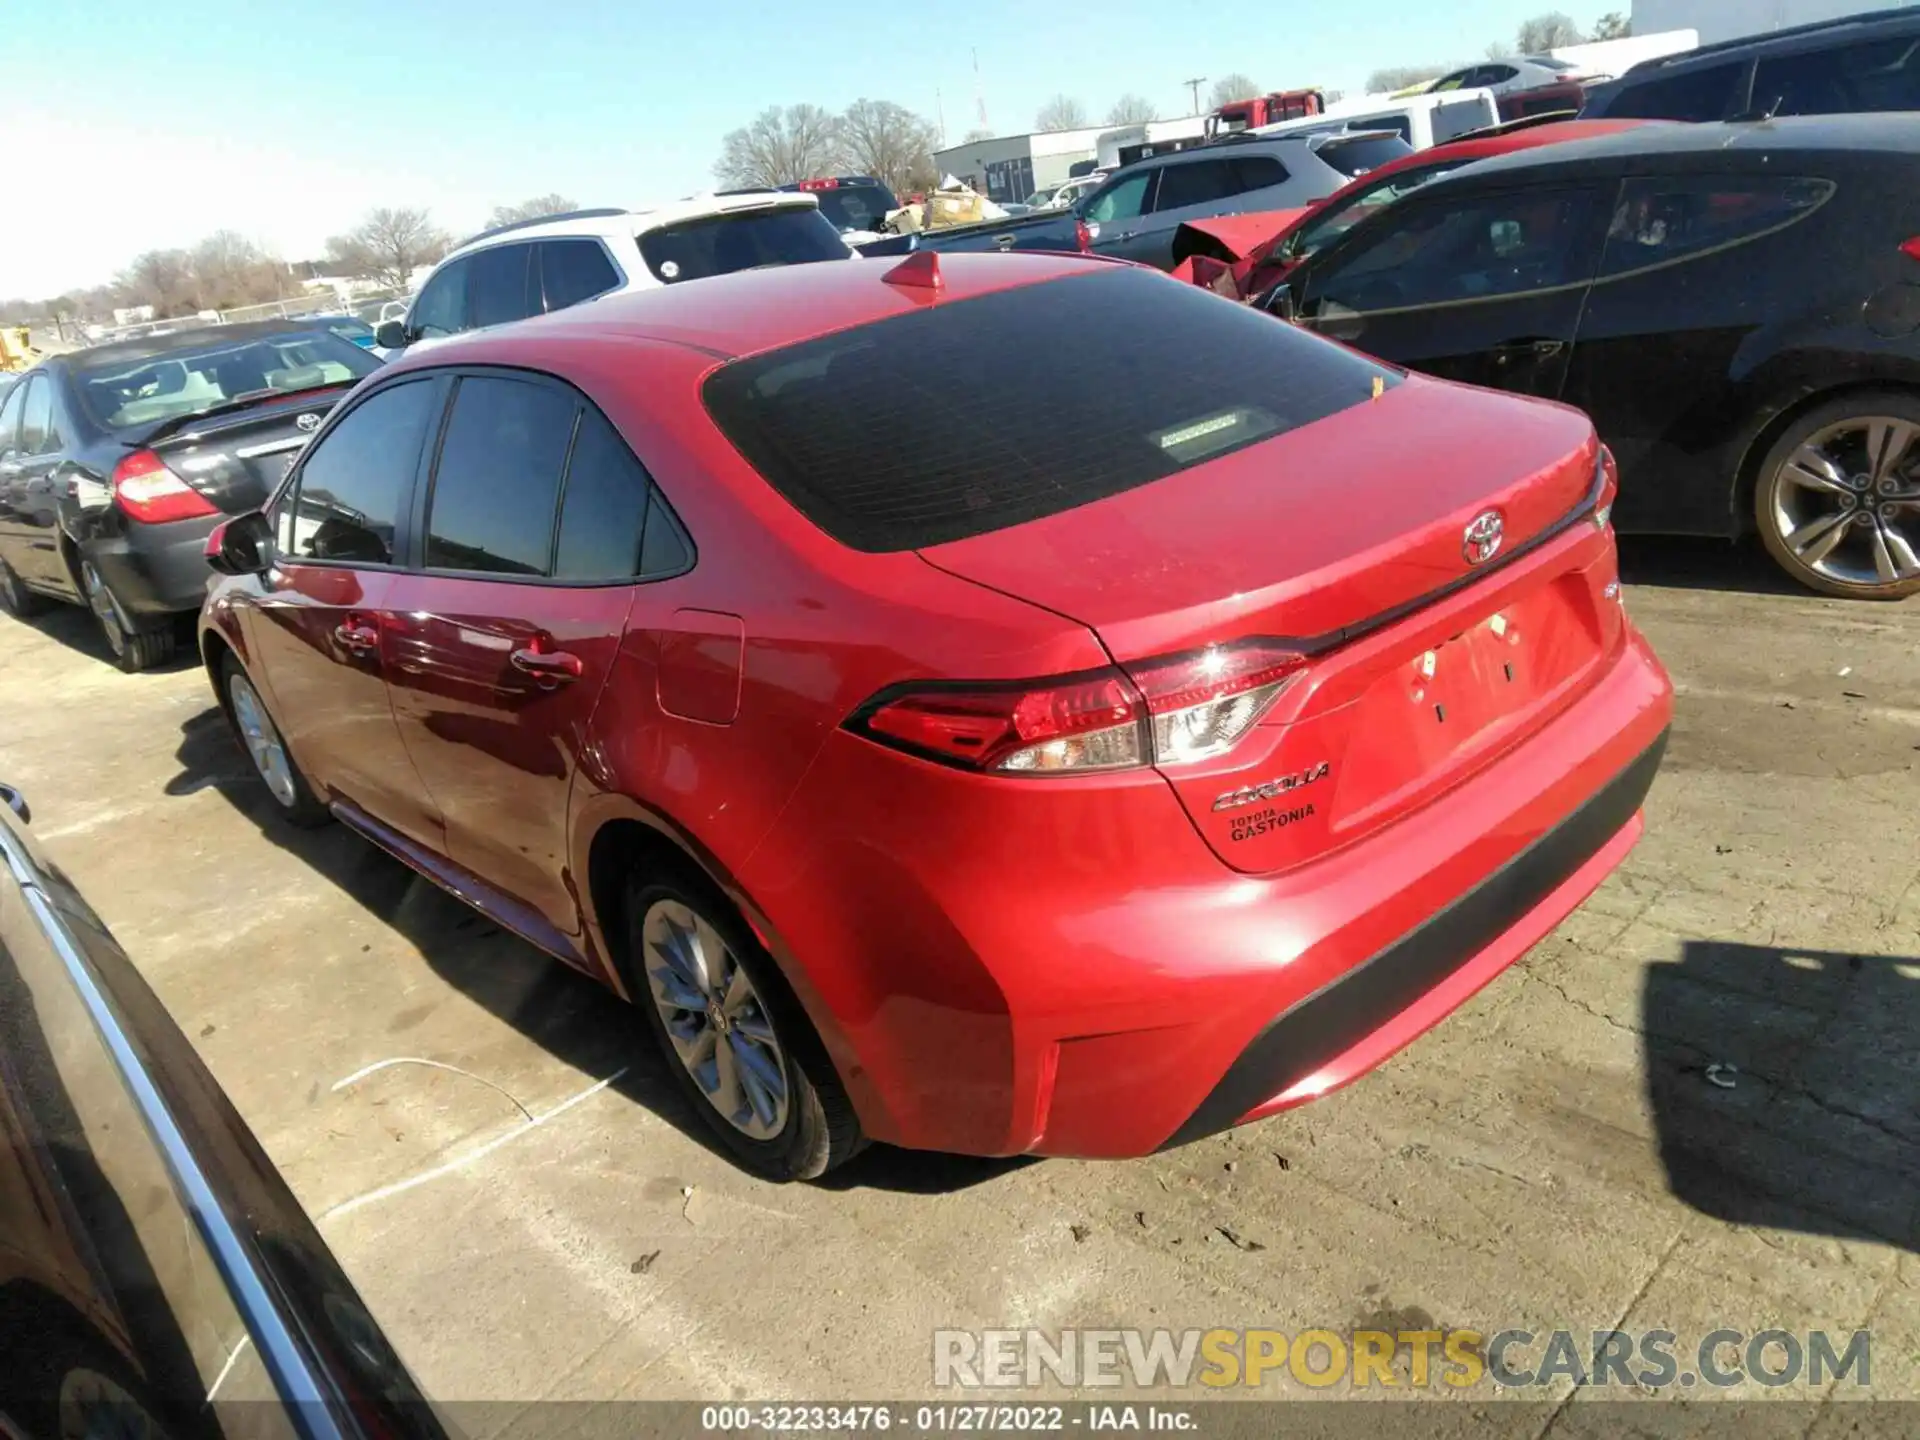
{"x":1345,"y":539}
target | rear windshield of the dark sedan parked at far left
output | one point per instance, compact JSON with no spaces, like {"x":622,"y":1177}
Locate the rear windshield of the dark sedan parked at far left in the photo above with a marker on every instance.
{"x":126,"y":391}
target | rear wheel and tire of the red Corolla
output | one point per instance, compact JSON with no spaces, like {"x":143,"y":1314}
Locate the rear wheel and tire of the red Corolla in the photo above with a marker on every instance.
{"x":765,"y":1084}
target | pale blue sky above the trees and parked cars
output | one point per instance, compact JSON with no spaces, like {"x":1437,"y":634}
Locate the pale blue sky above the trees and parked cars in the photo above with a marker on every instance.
{"x":143,"y":126}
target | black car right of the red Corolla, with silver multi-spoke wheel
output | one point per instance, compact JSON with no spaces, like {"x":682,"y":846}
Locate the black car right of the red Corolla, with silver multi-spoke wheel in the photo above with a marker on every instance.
{"x":1737,"y":306}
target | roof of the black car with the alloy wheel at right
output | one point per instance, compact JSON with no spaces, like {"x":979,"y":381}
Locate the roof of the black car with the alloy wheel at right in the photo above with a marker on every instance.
{"x":1888,"y":133}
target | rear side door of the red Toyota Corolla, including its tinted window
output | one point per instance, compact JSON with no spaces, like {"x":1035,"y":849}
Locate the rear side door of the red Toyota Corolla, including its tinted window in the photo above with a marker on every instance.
{"x":504,"y":633}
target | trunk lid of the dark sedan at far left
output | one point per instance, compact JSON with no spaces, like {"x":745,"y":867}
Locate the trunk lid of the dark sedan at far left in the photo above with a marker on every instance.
{"x":237,"y":458}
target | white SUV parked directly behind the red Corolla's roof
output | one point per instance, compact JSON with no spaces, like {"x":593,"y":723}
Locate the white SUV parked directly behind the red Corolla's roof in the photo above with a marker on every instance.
{"x":554,"y":262}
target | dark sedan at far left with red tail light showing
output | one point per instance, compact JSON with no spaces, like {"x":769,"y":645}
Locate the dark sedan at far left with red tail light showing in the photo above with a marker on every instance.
{"x":116,"y":464}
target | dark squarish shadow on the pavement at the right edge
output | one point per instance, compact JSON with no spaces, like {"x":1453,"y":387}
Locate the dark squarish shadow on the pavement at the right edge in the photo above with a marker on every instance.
{"x":1787,"y":1088}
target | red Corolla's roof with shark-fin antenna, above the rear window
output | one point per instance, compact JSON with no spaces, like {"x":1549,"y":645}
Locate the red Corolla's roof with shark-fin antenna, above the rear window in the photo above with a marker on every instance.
{"x":731,"y":316}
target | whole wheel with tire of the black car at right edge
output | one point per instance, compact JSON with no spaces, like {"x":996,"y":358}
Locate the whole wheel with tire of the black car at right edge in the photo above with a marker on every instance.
{"x":1838,"y":500}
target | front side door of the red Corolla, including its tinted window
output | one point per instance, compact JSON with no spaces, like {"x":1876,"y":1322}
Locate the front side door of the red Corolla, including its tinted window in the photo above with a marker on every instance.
{"x":318,"y":621}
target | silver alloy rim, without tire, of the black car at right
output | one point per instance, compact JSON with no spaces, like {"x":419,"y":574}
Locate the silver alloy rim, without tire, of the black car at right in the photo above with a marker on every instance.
{"x":1848,"y":502}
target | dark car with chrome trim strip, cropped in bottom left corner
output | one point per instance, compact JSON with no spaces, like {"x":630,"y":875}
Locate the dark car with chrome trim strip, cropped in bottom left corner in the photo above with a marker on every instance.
{"x":156,"y":1274}
